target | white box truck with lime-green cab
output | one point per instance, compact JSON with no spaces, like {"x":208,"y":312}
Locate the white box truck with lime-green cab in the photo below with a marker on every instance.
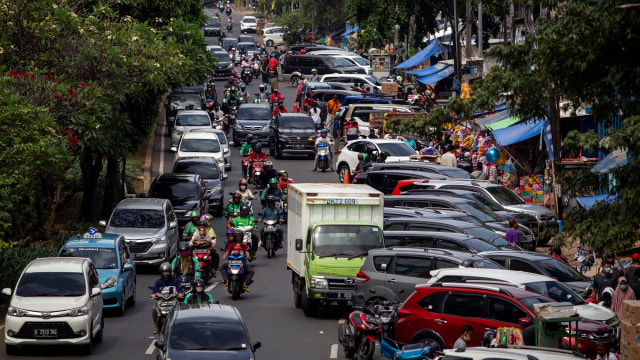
{"x":331,"y":227}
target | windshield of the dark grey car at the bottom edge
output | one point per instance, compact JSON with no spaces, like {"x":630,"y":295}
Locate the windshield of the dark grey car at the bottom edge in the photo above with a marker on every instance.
{"x":208,"y":336}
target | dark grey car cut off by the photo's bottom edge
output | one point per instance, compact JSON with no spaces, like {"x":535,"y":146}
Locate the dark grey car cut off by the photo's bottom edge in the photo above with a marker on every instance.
{"x":206,"y":331}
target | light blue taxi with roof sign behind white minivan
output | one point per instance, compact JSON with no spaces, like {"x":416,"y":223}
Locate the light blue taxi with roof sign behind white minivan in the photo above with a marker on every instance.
{"x":113,"y":261}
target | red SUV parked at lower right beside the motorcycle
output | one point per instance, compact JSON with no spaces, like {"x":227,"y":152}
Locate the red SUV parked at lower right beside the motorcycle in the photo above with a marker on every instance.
{"x":438,"y":312}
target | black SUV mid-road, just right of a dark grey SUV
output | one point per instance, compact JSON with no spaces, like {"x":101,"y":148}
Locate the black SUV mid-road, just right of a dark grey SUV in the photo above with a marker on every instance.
{"x":292,"y":133}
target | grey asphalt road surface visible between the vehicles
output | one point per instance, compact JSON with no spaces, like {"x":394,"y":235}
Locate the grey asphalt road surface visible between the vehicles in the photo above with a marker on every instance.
{"x":268,"y":309}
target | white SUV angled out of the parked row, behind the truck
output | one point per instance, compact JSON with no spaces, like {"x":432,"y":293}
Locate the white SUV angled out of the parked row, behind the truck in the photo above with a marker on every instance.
{"x":348,"y":157}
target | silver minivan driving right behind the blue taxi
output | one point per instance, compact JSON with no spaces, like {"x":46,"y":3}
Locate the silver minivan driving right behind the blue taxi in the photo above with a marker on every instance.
{"x":149,"y":226}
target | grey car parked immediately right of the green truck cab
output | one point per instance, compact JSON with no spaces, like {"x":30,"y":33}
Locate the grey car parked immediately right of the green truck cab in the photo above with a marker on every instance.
{"x":393,"y":273}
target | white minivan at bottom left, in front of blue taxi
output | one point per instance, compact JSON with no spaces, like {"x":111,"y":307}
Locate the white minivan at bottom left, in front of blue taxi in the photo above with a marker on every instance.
{"x":57,"y":301}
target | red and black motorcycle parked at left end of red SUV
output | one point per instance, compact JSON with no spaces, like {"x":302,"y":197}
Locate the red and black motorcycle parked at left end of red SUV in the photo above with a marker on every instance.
{"x":366,"y":324}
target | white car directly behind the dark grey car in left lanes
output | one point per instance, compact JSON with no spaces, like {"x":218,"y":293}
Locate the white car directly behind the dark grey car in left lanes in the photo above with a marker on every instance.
{"x":201,"y":144}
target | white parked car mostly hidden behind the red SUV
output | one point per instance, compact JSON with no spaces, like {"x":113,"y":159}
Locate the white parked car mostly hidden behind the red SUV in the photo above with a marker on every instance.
{"x":533,"y":282}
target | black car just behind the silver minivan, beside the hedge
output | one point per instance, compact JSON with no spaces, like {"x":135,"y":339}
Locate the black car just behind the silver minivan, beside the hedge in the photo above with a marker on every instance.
{"x":186,"y":192}
